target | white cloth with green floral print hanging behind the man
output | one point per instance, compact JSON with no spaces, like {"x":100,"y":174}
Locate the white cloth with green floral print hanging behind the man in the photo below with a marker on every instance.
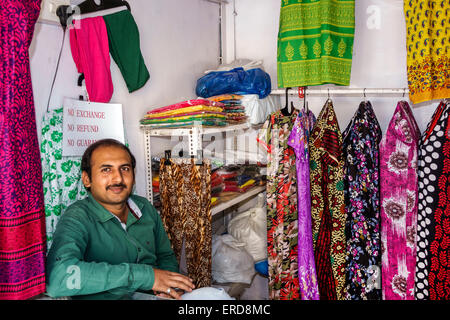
{"x":61,"y":175}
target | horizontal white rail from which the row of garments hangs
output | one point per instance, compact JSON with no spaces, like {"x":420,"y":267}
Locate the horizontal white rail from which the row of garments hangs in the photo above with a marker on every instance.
{"x":347,"y":91}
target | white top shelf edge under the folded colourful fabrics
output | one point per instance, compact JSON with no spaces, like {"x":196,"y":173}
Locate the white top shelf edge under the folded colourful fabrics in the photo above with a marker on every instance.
{"x":189,"y":130}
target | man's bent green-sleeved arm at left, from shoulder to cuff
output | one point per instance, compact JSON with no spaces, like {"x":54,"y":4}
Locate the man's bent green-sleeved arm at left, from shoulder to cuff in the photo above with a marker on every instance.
{"x":68,"y":274}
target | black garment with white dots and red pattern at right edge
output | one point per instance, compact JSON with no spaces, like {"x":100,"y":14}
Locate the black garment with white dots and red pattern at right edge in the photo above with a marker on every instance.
{"x":433,"y":263}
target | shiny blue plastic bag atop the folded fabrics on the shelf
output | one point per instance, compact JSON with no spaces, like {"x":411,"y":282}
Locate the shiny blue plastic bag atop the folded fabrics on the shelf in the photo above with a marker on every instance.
{"x":238,"y":81}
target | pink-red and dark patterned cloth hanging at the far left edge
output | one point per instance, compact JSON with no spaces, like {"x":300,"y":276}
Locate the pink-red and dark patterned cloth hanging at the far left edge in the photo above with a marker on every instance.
{"x":22,"y":217}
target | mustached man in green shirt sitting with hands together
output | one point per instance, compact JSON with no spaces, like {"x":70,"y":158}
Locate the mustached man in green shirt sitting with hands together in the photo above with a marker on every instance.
{"x":112,"y":243}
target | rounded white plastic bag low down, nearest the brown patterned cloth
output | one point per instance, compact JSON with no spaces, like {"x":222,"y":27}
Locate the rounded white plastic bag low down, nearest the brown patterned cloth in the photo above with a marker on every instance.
{"x":230,"y":261}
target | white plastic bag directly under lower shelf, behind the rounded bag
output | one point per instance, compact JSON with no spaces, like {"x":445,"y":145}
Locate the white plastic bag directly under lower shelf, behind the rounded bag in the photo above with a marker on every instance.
{"x":250,"y":227}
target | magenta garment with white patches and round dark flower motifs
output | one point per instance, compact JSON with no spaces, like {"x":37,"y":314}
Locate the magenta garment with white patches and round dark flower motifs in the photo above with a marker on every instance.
{"x":398,"y":201}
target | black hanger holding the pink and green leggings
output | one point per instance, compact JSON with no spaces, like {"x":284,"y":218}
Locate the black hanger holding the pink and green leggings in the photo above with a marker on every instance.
{"x":88,"y":6}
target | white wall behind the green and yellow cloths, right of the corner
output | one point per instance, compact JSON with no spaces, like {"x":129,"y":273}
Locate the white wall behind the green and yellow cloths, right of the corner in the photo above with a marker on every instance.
{"x":379,"y":54}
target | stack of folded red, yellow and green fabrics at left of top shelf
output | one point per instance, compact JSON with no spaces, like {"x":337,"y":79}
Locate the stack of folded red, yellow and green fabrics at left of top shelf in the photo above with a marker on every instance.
{"x":187,"y":113}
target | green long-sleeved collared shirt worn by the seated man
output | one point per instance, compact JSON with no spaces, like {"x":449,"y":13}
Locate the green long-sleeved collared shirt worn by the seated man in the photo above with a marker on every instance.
{"x":93,"y":257}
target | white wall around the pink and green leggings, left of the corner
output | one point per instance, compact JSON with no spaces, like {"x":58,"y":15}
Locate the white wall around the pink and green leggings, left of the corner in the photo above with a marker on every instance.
{"x":179,"y":40}
